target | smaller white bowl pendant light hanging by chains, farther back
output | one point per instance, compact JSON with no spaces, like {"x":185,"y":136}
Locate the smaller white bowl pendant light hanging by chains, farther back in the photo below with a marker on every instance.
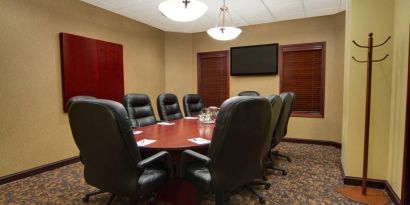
{"x":222,"y":32}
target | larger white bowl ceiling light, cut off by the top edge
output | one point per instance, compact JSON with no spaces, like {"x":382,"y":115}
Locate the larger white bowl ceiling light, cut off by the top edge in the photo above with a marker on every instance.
{"x":182,"y":10}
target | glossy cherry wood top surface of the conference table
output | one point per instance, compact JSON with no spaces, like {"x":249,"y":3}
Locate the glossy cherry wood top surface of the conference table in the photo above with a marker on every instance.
{"x":175,"y":137}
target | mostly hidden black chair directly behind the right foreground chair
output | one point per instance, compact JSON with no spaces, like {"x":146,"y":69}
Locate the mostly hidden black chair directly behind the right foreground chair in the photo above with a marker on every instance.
{"x":276,"y":103}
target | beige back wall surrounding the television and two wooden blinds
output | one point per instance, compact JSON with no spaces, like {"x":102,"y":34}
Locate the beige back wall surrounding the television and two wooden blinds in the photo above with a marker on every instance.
{"x":327,"y":28}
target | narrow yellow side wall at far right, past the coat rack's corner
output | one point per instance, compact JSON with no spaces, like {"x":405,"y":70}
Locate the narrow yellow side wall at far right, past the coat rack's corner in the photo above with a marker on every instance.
{"x":399,"y":92}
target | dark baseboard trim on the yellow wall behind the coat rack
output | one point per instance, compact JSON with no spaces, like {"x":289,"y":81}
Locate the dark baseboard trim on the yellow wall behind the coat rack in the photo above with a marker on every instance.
{"x":374,"y":183}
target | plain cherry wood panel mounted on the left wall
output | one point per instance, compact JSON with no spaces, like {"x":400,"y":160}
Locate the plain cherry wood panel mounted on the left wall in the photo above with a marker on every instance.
{"x":91,"y":67}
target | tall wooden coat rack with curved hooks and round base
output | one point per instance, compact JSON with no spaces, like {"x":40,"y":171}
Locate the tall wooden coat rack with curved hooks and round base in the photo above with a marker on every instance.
{"x":362,"y":196}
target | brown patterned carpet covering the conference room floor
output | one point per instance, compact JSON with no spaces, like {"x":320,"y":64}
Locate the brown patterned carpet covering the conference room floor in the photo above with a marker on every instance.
{"x":313,"y":175}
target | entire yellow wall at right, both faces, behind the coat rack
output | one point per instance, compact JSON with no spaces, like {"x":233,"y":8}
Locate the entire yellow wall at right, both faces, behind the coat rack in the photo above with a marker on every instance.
{"x":384,"y":18}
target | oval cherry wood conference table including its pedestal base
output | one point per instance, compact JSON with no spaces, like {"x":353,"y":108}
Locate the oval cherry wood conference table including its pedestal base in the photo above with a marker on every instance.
{"x":175,"y":137}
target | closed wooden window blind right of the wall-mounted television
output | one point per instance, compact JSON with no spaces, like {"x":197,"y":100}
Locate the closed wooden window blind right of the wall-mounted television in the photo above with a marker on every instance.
{"x":302,"y":72}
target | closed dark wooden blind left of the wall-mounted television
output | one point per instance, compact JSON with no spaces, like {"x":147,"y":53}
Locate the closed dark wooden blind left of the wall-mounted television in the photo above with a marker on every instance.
{"x":213,"y":77}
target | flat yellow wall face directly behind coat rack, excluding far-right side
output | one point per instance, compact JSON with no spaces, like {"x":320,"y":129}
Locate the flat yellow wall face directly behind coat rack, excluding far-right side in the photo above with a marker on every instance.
{"x":377,"y":19}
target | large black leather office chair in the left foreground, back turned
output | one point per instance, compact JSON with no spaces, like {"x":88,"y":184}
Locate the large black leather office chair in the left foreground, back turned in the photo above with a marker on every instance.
{"x":112,"y":162}
